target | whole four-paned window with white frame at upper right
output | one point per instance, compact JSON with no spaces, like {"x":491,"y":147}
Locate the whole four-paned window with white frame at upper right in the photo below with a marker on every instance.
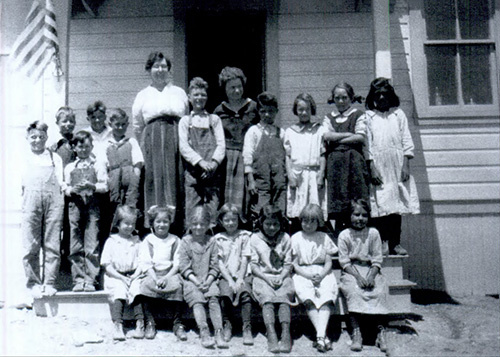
{"x":453,"y":58}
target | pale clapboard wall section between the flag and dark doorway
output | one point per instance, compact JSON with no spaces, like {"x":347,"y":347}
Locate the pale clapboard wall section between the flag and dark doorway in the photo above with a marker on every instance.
{"x":107,"y":57}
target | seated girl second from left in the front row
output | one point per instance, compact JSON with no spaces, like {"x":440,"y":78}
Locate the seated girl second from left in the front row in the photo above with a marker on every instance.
{"x":159,"y":258}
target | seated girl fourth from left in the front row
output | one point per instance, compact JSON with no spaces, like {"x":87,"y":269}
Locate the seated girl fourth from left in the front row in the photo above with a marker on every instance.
{"x":235,"y":284}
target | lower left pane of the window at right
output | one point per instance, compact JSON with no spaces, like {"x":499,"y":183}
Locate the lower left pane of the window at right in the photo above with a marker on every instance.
{"x":441,"y":69}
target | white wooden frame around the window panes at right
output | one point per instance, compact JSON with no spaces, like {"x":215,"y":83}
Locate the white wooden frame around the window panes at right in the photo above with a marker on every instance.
{"x":419,"y":76}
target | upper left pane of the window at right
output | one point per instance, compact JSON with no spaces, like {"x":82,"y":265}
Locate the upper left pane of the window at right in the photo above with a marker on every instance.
{"x":440,"y":19}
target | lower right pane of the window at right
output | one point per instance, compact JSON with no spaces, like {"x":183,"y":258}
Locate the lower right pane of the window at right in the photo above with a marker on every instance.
{"x":476,"y":78}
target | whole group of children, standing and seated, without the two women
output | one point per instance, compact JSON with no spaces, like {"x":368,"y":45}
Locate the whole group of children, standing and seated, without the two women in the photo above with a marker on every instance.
{"x":312,"y":178}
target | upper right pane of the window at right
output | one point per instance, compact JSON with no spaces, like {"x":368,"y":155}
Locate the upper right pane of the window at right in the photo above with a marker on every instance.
{"x":473,"y":18}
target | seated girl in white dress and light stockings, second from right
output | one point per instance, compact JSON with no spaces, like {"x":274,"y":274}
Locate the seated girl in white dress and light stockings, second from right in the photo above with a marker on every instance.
{"x":314,"y":281}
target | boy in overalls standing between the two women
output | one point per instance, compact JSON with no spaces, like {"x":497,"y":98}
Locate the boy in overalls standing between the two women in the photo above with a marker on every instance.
{"x":202,"y":145}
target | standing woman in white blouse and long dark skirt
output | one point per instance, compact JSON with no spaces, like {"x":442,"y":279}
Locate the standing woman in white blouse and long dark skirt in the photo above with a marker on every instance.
{"x":156,"y":112}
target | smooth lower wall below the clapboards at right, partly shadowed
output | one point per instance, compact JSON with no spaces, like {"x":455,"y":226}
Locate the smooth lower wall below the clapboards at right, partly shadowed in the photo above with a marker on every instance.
{"x":462,"y":259}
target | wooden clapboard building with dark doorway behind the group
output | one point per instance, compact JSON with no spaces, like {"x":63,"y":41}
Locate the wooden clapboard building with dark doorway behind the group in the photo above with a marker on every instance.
{"x":442,"y":57}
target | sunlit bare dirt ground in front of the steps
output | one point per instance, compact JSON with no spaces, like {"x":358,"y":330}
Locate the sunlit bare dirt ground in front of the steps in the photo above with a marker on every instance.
{"x":467,"y":326}
